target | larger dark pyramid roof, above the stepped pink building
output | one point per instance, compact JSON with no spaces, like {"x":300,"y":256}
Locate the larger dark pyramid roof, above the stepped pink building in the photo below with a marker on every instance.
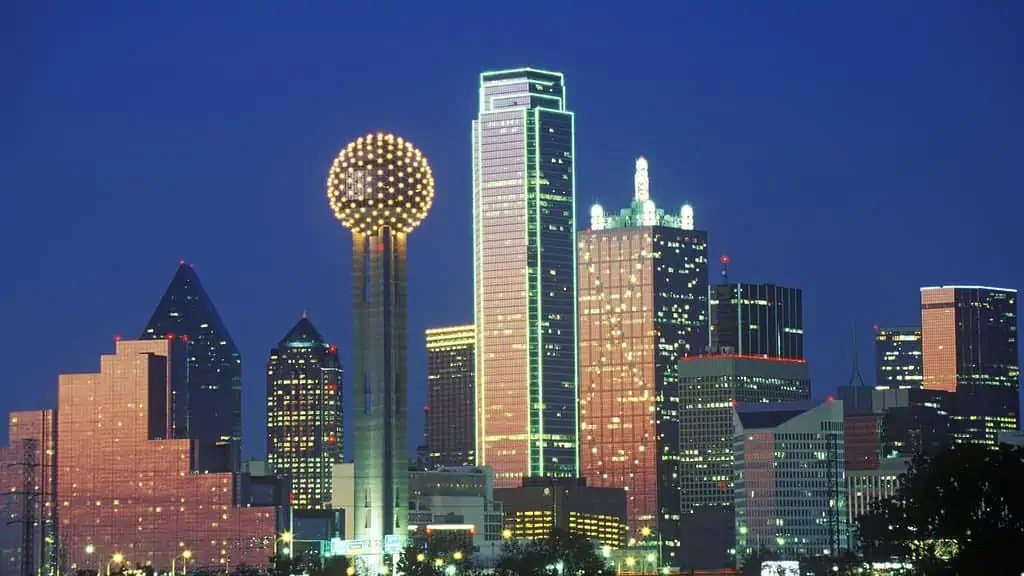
{"x":187,"y":310}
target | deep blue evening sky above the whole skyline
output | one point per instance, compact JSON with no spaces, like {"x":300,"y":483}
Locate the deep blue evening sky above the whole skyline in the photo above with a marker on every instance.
{"x":857,"y":150}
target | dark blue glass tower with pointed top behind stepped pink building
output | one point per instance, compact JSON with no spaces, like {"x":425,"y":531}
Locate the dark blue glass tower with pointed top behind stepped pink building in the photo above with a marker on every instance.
{"x":207,"y":407}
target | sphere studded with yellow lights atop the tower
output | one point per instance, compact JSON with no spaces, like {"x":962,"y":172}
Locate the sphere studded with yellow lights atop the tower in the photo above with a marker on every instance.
{"x":380,"y":181}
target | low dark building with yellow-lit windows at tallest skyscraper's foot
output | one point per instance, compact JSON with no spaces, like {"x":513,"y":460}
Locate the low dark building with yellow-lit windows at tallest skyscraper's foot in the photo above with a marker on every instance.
{"x":542,"y":505}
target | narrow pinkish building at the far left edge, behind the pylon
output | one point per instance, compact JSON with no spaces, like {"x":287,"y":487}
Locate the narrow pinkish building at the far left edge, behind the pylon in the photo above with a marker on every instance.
{"x":28,"y":533}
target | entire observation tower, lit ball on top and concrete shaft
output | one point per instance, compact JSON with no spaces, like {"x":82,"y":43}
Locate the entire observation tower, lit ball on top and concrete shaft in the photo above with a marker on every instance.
{"x":381,"y":188}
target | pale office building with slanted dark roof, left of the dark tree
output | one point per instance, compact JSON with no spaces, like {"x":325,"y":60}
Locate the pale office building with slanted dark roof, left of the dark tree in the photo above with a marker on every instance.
{"x":790,"y":483}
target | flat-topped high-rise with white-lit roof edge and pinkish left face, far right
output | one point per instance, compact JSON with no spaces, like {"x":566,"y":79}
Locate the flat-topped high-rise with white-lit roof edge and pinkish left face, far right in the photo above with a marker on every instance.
{"x":969,"y":342}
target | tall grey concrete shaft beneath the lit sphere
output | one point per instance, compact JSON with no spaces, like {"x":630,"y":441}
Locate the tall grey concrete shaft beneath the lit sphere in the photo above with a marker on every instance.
{"x":379,"y":312}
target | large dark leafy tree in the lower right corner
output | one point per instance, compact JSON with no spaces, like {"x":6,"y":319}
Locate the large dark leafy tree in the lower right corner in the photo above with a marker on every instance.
{"x":959,"y":513}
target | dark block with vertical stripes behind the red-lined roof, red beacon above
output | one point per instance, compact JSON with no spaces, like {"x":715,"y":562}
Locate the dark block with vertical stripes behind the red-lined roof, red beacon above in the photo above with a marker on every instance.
{"x":757,"y":320}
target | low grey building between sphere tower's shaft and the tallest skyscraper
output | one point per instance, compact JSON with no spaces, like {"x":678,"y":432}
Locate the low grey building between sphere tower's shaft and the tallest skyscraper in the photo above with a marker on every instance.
{"x":456,"y":500}
